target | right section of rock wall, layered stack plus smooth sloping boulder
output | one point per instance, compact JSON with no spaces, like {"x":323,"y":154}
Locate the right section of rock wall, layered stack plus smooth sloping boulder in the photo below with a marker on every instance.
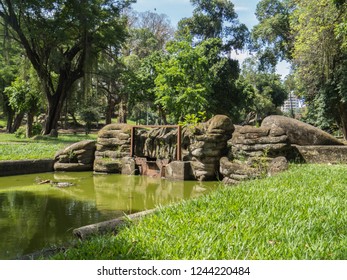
{"x":261,"y":151}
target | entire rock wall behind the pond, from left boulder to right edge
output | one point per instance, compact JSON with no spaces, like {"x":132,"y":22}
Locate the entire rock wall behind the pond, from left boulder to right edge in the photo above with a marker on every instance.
{"x":213,"y":150}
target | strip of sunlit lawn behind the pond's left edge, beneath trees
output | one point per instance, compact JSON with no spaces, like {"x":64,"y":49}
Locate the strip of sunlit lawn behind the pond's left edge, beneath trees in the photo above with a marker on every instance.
{"x":43,"y":147}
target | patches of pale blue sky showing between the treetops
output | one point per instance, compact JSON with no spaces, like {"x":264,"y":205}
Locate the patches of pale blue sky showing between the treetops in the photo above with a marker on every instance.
{"x":178,"y":9}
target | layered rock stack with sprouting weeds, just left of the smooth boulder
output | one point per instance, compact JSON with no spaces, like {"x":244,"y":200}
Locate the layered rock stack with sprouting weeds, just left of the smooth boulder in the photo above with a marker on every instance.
{"x":252,"y":151}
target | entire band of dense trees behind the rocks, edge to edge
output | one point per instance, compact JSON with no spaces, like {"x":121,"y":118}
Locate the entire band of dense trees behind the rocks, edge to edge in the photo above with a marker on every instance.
{"x":101,"y":56}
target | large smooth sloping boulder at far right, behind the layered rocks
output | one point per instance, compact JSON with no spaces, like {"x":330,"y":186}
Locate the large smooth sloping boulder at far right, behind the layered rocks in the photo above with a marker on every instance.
{"x":300,"y":133}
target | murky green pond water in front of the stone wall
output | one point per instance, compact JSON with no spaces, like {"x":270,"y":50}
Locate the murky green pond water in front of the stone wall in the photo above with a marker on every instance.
{"x":35,"y":216}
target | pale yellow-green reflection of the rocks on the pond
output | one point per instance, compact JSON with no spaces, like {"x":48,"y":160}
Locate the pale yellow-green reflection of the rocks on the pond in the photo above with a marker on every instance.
{"x":136,"y":193}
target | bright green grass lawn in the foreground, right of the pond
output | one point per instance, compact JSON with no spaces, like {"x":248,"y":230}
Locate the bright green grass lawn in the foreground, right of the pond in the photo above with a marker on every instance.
{"x":299,"y":214}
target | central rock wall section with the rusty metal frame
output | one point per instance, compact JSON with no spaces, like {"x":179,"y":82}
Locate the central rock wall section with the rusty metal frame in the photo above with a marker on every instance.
{"x":202,"y":147}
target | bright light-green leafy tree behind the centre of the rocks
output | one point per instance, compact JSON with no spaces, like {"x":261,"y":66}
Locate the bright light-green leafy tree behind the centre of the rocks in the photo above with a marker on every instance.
{"x":182,"y":84}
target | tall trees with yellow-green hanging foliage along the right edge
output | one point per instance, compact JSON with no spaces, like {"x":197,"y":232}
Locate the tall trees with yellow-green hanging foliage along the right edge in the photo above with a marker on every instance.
{"x":312,"y":36}
